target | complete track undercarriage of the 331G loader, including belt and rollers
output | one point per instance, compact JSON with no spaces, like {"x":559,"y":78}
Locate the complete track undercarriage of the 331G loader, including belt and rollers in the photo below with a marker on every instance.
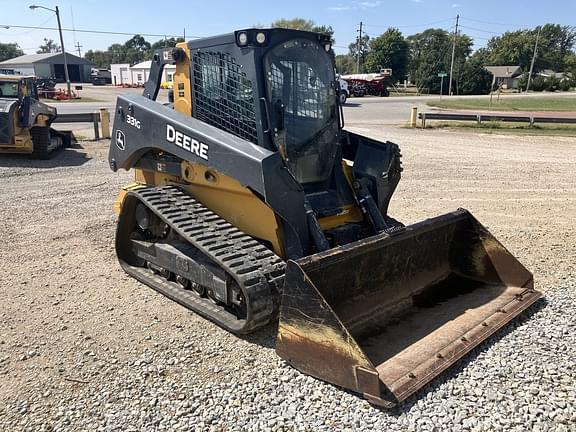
{"x":172,"y":243}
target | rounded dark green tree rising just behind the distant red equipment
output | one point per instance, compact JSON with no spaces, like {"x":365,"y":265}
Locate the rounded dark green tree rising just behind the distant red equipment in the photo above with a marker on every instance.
{"x":389,"y":50}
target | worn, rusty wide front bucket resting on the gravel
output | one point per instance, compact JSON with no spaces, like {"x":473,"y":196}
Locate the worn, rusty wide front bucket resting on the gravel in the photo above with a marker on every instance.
{"x":384,"y":315}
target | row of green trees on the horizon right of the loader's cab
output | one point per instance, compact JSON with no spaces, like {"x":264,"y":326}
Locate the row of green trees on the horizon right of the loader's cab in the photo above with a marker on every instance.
{"x":419,"y":58}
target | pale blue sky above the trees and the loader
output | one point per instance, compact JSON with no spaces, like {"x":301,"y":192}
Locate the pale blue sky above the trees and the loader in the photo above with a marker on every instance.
{"x":479,"y":19}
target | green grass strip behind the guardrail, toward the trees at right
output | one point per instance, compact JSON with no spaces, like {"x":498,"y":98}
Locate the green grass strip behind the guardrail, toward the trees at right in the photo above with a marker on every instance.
{"x":510,"y":103}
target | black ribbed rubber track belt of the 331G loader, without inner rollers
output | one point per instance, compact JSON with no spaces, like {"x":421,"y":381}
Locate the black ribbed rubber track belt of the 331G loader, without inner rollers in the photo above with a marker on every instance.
{"x":258,"y":271}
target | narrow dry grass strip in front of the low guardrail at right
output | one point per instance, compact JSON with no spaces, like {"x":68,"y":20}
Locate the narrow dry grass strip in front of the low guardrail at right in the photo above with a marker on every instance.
{"x":501,"y":128}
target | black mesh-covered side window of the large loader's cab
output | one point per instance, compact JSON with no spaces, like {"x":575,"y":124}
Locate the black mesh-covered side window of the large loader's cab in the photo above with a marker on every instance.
{"x":223,"y":96}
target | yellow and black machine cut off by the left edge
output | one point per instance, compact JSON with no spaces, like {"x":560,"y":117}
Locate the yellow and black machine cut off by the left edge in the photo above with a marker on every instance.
{"x":25,"y":121}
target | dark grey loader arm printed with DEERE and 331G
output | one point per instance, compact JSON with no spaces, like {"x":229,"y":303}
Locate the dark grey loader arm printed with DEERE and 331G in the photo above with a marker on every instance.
{"x":162,"y":129}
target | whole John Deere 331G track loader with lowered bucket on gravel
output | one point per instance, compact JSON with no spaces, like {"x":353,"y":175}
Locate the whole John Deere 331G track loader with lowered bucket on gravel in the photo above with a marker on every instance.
{"x":251,"y":201}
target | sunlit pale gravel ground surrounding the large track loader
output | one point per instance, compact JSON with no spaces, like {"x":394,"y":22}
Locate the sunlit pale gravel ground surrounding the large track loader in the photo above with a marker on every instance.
{"x":85,"y":347}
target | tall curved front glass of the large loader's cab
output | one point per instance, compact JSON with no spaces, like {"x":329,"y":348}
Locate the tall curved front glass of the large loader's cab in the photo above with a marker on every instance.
{"x":301,"y":92}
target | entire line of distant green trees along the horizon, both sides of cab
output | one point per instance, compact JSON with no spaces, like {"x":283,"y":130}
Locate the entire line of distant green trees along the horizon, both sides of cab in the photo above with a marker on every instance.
{"x":418,"y":58}
